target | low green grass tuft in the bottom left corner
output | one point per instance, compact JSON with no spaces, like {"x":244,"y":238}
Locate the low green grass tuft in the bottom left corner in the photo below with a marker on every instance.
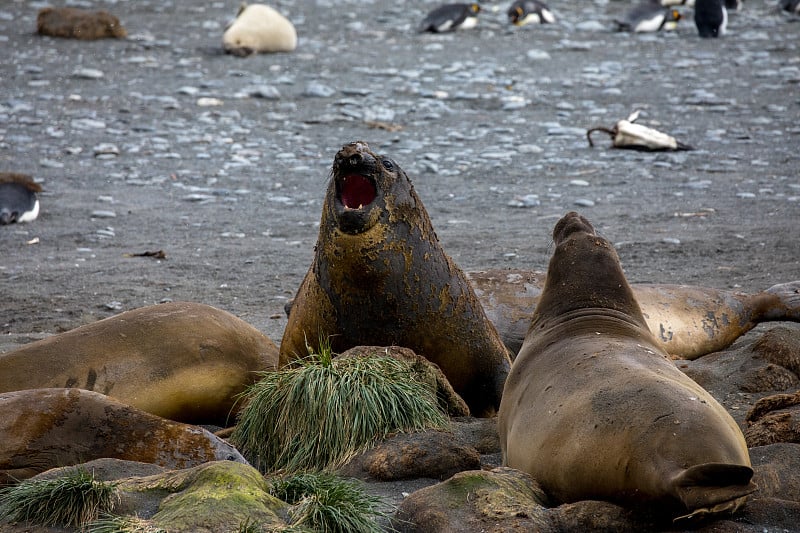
{"x":72,"y":500}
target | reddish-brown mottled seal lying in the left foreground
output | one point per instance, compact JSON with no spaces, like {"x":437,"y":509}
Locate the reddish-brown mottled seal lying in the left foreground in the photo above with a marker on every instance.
{"x":42,"y":429}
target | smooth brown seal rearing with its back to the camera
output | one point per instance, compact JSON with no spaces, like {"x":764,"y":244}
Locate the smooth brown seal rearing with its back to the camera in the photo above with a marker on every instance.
{"x":594,"y":409}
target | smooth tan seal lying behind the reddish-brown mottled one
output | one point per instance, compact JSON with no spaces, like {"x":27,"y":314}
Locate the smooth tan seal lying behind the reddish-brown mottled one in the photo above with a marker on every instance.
{"x":183,"y":361}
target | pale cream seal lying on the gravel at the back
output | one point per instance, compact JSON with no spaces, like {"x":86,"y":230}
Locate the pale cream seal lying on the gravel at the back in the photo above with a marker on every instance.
{"x":259,"y":29}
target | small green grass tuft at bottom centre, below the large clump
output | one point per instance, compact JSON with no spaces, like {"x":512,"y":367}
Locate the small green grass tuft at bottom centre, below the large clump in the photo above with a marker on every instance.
{"x":326,"y":502}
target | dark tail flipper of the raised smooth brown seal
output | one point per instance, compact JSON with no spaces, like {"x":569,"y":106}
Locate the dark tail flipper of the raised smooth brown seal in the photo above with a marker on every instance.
{"x":713,"y":488}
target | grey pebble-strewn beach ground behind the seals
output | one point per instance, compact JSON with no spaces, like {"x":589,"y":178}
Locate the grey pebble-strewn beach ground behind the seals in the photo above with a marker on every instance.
{"x":161,"y":142}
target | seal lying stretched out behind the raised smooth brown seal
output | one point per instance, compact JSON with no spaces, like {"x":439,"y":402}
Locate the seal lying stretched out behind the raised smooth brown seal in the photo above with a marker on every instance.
{"x":688,"y":321}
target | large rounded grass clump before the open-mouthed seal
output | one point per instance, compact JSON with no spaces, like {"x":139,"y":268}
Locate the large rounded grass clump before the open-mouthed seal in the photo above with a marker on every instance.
{"x":319,"y":414}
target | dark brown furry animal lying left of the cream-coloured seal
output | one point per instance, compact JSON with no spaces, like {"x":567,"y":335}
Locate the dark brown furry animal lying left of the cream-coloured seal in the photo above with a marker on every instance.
{"x":75,"y":23}
